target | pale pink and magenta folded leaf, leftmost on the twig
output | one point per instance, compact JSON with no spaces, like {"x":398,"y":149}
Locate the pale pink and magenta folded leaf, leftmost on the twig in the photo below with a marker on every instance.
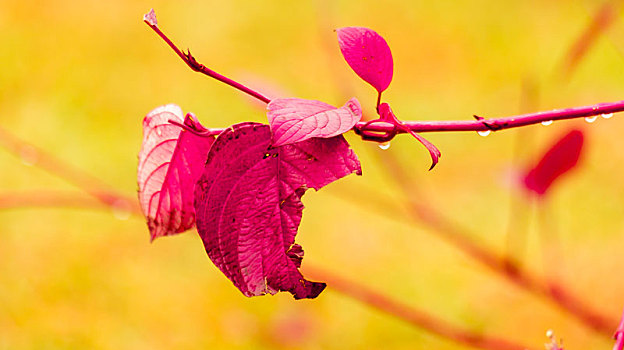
{"x":170,"y":162}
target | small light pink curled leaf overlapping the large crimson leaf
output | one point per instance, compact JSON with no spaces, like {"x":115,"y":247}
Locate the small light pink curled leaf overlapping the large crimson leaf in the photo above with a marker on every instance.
{"x":294,"y":119}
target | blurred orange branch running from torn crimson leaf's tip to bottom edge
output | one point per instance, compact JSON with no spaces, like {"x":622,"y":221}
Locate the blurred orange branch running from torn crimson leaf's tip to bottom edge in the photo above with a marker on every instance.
{"x":416,"y":317}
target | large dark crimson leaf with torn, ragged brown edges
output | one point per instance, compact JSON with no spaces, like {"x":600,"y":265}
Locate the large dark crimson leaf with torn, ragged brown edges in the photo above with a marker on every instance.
{"x":248,"y":204}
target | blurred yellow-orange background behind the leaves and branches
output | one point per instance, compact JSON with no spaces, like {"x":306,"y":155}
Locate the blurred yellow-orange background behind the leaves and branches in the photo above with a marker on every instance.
{"x":76,"y":78}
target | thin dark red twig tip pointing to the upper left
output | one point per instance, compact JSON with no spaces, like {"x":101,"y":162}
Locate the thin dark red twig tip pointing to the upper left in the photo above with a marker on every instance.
{"x":198,"y":67}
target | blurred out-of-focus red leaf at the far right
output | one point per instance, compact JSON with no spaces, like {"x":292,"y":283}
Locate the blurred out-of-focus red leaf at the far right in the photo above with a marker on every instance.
{"x":559,"y":159}
